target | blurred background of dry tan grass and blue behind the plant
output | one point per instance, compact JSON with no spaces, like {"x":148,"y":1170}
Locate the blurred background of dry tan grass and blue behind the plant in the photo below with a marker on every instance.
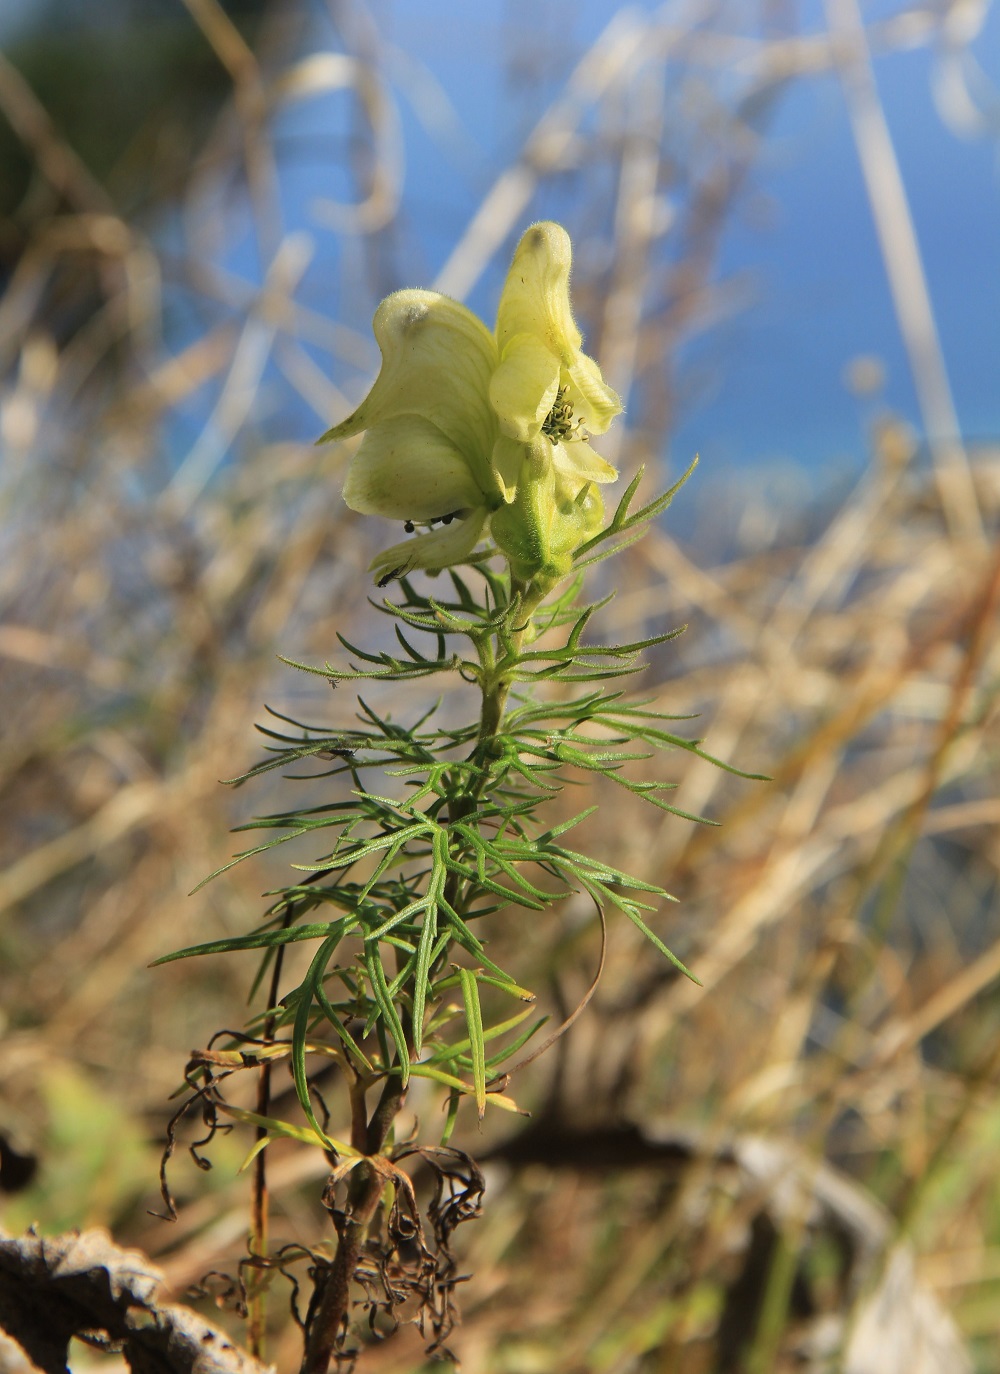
{"x":788,"y":247}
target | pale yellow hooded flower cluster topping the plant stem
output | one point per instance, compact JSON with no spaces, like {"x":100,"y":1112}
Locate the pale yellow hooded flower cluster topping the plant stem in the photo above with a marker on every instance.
{"x":470,"y":433}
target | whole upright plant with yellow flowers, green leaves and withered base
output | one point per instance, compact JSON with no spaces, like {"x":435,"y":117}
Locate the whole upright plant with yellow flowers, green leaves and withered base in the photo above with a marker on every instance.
{"x":479,"y":440}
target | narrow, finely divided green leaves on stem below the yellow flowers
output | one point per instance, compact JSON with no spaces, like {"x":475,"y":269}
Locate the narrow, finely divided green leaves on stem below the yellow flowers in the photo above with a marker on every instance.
{"x":410,"y":869}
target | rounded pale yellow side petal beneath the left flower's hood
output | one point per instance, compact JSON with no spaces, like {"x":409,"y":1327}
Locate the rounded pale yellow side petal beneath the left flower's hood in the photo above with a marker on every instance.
{"x":406,"y":469}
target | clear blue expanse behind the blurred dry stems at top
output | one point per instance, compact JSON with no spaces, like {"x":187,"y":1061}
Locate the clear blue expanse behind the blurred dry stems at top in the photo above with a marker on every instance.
{"x":769,"y":383}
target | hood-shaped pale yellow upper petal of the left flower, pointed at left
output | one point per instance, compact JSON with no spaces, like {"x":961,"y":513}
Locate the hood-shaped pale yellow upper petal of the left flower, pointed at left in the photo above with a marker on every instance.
{"x":437,"y":359}
